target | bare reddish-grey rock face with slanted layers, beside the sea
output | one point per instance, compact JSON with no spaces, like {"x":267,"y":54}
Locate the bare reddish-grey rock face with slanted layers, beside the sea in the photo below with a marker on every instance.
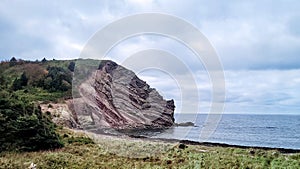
{"x":114,"y":97}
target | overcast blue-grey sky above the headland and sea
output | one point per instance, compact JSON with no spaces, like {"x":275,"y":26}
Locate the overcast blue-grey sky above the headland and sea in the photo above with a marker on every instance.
{"x":257,"y":42}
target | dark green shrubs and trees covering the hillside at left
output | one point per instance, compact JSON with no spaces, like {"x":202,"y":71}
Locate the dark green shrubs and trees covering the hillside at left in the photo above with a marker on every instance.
{"x":23,"y":127}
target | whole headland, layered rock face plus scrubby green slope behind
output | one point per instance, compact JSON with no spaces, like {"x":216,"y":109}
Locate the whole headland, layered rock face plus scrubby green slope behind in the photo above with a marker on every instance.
{"x":105,"y":95}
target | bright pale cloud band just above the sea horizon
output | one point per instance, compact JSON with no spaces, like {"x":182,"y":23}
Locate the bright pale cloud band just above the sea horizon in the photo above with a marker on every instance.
{"x":251,"y":92}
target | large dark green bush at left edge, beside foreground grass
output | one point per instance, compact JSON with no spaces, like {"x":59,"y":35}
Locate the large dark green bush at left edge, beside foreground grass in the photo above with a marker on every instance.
{"x":23,"y":127}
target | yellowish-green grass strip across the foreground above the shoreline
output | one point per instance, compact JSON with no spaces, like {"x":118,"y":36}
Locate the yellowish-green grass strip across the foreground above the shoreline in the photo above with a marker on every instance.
{"x":109,"y":152}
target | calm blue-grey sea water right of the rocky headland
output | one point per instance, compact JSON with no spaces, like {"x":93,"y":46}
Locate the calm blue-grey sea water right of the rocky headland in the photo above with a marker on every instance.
{"x":275,"y":131}
